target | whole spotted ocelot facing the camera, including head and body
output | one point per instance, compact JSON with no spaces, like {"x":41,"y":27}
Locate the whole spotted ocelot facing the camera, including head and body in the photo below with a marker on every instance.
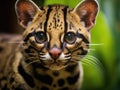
{"x":47,"y":55}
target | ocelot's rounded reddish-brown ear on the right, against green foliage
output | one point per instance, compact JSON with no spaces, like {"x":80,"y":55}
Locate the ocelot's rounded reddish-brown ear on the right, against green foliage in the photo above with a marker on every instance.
{"x":87,"y":11}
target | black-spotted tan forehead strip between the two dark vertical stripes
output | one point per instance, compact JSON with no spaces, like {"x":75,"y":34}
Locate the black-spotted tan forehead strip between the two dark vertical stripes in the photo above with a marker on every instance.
{"x":56,"y":19}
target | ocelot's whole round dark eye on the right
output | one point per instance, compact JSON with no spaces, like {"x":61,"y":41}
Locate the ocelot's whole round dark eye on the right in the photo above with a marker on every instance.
{"x":70,"y":37}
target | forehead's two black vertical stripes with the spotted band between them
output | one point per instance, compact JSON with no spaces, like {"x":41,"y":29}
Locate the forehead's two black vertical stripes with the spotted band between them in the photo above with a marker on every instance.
{"x":56,"y":18}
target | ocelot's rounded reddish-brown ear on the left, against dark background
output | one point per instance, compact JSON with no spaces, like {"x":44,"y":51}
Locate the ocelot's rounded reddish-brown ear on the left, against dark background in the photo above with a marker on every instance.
{"x":25,"y":10}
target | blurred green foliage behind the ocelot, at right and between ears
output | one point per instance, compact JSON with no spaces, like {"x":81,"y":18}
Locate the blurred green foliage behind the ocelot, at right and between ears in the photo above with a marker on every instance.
{"x":102,"y":65}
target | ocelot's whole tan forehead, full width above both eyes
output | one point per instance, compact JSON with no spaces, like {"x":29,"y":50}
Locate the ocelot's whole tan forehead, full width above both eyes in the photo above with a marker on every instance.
{"x":55,"y":19}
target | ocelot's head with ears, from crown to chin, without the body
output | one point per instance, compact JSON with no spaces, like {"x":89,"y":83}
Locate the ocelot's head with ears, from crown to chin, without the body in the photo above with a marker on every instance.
{"x":57,"y":35}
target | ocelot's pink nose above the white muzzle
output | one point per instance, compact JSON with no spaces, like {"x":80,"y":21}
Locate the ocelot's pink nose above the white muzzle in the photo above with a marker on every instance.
{"x":55,"y":52}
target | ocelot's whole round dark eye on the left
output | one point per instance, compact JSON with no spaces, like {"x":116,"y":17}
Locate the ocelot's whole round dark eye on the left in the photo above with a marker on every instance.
{"x":40,"y":37}
